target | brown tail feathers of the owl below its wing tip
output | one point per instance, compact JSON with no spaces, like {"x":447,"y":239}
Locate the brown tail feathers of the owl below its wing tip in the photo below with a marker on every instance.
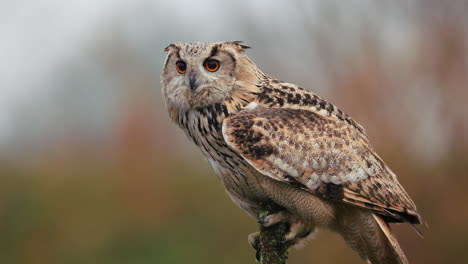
{"x":370,"y":236}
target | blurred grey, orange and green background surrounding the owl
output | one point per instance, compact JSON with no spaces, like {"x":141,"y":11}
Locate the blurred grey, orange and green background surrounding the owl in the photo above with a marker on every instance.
{"x":93,"y":171}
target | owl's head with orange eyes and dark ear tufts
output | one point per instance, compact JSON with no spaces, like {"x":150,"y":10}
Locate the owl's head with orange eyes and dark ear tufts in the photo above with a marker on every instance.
{"x":202,"y":73}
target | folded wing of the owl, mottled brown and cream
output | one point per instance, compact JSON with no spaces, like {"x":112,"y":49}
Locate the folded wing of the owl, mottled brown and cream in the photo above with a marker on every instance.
{"x":326,"y":156}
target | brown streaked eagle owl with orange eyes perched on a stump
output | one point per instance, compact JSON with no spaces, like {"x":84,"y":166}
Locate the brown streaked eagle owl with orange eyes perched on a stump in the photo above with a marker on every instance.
{"x":272,"y":141}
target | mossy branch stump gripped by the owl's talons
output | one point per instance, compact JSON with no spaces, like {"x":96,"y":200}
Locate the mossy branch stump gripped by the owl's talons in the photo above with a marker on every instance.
{"x":272,"y":249}
